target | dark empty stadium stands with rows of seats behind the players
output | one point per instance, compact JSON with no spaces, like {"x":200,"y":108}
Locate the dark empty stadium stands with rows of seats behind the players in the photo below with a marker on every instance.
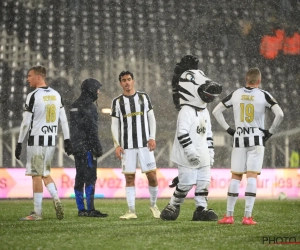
{"x":76,"y":39}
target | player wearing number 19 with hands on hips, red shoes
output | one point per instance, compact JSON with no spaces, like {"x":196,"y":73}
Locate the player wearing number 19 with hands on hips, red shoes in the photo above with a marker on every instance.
{"x":249,"y":105}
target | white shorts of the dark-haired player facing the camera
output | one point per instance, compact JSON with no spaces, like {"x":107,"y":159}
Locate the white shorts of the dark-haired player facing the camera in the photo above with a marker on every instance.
{"x":131,"y":157}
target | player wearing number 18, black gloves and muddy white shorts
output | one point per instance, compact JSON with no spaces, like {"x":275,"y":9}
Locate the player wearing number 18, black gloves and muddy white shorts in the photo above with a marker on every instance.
{"x":43,"y":110}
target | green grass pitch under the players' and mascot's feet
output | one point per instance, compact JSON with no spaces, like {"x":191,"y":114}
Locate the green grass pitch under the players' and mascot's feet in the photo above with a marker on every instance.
{"x":278,"y":221}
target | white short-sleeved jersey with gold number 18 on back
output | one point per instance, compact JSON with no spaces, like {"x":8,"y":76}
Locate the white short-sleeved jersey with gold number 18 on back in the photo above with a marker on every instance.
{"x":44,"y":104}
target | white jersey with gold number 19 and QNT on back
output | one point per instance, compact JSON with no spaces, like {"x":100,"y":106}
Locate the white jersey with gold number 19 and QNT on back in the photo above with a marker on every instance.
{"x":249,"y":105}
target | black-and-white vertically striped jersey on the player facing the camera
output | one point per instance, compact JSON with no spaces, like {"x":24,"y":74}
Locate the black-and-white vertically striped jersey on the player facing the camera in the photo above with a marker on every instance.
{"x":132,"y":114}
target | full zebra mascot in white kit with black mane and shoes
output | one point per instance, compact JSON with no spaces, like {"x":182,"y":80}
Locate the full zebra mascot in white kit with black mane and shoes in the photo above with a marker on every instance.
{"x":193,"y":150}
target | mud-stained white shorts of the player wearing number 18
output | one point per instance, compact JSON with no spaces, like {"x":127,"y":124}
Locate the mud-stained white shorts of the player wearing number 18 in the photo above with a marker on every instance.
{"x":39,"y":160}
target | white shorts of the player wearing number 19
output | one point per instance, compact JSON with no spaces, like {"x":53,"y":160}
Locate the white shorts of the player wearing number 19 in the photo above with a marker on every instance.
{"x":249,"y":159}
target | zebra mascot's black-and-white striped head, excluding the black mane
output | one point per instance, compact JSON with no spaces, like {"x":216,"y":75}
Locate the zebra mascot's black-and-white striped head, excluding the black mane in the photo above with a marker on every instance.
{"x":196,"y":89}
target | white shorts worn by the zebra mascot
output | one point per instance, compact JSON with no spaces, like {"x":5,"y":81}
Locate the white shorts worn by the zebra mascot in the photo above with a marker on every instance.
{"x":190,"y":176}
